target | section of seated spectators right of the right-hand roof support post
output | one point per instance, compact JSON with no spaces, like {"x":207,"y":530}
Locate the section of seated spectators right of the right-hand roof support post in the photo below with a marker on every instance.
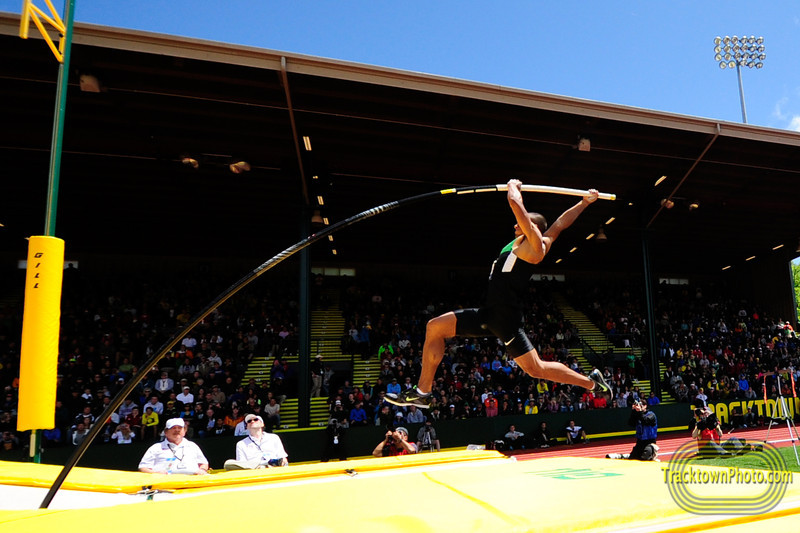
{"x":716,"y":349}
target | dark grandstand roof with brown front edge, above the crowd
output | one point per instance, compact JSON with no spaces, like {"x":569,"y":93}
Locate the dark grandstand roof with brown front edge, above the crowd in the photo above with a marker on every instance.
{"x":376,"y":135}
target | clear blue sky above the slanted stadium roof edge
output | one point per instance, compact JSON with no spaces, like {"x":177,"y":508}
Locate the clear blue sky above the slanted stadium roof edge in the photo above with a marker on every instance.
{"x":650,"y":54}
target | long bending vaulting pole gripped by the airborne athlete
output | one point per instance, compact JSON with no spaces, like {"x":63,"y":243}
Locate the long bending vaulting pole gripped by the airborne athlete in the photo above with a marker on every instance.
{"x":239,"y":285}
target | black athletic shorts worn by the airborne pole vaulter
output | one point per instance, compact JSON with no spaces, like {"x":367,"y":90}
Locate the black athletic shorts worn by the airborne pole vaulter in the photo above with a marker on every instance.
{"x":506,"y":326}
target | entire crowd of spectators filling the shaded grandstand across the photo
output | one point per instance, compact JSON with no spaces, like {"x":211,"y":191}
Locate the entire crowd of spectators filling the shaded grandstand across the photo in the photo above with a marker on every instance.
{"x":711,"y":348}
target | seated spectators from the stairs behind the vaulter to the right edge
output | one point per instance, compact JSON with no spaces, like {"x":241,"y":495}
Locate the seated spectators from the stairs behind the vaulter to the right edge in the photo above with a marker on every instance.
{"x":711,"y":348}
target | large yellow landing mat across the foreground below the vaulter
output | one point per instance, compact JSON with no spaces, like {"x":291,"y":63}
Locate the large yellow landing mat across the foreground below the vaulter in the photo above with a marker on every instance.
{"x":460,"y":491}
